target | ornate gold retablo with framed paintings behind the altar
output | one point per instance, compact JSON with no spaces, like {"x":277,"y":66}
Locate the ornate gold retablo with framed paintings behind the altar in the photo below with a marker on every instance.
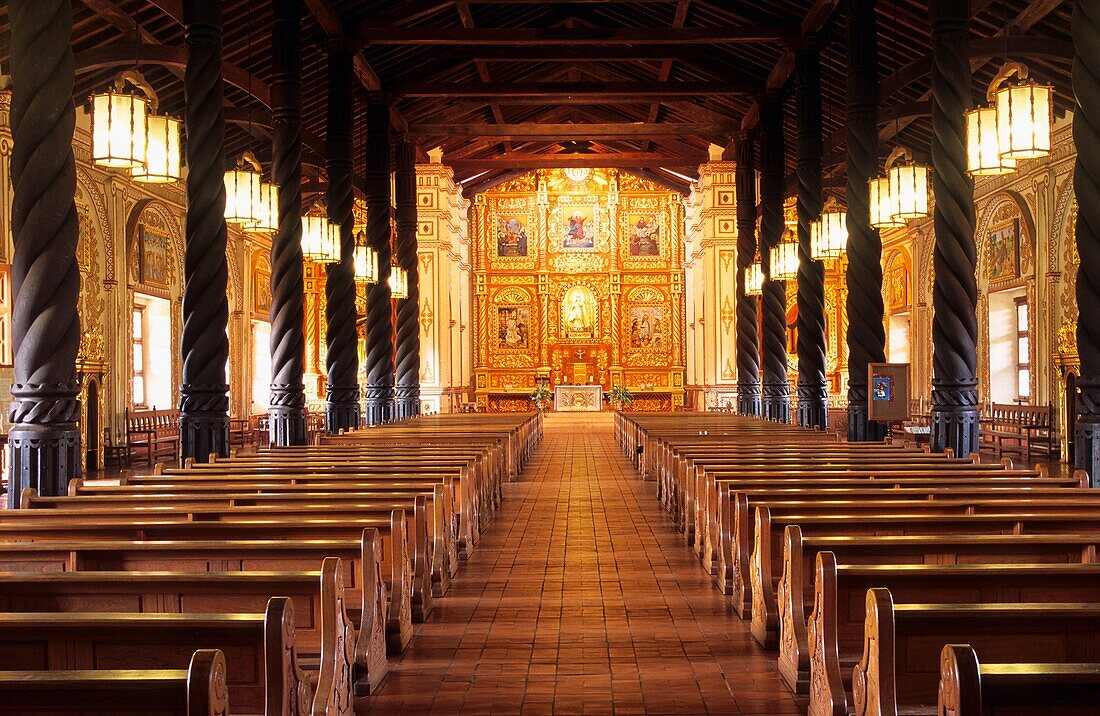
{"x":579,"y":282}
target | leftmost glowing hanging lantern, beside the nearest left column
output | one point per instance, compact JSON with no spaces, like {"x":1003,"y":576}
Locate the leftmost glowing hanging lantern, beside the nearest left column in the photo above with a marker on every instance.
{"x":119,"y":123}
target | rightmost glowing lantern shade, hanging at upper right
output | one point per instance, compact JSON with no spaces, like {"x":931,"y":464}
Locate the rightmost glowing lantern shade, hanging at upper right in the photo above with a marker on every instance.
{"x":1024,"y":120}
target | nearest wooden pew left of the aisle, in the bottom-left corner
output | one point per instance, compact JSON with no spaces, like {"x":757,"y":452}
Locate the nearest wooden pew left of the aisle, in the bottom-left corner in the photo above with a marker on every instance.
{"x":201,"y":690}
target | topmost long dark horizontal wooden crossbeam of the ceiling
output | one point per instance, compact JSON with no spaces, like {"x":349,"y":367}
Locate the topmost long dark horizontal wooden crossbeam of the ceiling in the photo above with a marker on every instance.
{"x":370,"y":35}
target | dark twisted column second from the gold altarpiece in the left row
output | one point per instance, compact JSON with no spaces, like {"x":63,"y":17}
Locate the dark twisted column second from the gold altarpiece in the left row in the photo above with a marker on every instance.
{"x":380,"y":326}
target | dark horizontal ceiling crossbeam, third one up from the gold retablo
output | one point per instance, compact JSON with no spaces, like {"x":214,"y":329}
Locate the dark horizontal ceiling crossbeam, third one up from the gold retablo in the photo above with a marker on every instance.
{"x":552,"y":92}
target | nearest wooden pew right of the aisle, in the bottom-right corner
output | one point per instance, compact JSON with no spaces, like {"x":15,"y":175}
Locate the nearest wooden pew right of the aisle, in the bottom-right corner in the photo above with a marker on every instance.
{"x":969,"y":688}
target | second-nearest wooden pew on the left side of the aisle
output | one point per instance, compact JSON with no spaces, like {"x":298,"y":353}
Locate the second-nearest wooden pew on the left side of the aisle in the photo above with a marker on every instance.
{"x":263,"y":663}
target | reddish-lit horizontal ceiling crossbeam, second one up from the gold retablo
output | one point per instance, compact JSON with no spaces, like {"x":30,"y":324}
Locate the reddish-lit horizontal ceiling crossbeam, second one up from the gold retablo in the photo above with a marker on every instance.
{"x":574,"y":133}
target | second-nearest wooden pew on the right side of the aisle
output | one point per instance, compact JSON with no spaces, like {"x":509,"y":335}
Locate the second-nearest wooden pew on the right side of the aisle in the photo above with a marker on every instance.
{"x":899,"y":673}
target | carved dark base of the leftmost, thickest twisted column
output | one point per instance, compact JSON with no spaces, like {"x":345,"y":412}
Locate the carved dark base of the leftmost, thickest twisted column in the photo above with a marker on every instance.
{"x":46,"y":458}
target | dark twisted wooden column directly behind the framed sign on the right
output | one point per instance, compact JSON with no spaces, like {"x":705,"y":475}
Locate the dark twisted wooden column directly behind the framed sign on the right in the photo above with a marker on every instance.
{"x":866,"y":335}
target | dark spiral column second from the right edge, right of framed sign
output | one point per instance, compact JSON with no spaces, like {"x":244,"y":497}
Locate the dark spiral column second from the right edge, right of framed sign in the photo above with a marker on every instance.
{"x":955,"y":291}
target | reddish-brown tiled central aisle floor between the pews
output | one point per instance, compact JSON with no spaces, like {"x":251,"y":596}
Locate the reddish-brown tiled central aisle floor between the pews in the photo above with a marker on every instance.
{"x":581,"y":599}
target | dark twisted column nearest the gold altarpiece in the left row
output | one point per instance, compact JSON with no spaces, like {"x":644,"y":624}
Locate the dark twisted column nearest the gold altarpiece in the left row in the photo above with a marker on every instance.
{"x":408,"y":380}
